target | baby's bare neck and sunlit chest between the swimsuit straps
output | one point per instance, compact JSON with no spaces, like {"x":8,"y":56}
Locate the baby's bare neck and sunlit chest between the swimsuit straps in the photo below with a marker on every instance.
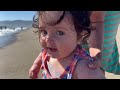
{"x":57,"y":66}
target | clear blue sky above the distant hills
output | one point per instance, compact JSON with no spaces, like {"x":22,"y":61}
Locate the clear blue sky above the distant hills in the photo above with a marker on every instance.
{"x":16,"y":15}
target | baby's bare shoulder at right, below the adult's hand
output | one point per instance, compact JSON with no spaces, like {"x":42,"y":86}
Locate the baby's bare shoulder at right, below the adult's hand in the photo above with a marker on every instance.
{"x":83,"y":72}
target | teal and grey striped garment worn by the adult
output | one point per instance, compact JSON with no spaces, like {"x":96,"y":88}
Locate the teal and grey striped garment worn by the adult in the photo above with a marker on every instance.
{"x":110,"y":55}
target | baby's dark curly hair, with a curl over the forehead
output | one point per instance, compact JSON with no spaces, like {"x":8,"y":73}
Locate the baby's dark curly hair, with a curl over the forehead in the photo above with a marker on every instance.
{"x":81,"y":21}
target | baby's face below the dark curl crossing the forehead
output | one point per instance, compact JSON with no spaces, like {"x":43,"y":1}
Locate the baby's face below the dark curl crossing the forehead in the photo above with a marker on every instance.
{"x":59,"y":40}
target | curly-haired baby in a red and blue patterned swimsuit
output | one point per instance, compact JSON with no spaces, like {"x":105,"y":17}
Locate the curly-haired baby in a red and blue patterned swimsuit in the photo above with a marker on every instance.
{"x":61,"y":34}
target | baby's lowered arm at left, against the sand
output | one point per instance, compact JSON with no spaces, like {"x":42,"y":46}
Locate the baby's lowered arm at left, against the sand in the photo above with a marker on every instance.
{"x":35,"y":68}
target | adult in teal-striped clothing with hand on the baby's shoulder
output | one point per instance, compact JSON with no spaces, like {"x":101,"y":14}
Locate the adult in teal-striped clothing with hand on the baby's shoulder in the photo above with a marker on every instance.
{"x":103,"y":44}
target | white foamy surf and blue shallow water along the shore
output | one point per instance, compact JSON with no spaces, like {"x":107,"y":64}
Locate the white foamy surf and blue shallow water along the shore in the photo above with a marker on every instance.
{"x":6,"y":35}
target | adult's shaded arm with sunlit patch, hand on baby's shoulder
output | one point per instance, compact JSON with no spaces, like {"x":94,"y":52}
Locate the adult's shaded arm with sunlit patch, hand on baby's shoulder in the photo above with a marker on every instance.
{"x":96,"y":37}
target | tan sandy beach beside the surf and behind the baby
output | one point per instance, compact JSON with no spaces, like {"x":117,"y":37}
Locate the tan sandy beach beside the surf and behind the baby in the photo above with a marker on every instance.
{"x":17,"y":57}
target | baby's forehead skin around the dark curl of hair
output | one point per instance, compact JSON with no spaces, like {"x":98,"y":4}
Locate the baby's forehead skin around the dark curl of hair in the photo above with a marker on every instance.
{"x":66,"y":21}
